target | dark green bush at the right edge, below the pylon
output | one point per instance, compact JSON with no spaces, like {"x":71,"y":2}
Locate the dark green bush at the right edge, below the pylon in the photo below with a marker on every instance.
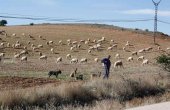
{"x":164,"y":60}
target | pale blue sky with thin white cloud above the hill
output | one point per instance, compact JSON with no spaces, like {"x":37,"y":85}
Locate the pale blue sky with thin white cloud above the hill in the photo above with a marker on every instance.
{"x":89,"y":10}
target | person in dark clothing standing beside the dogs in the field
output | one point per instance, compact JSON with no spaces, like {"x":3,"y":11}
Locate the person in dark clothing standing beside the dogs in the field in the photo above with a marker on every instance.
{"x":106,"y":63}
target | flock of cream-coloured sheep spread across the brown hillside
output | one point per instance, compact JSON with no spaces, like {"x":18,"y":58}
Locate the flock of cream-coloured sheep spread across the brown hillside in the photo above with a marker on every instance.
{"x":73,"y":45}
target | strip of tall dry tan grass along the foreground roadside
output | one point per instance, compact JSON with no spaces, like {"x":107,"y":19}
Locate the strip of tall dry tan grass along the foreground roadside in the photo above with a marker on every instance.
{"x":87,"y":95}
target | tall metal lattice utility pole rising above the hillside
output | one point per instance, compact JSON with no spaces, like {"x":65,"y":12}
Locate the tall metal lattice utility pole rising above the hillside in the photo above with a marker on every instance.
{"x":156,"y":18}
